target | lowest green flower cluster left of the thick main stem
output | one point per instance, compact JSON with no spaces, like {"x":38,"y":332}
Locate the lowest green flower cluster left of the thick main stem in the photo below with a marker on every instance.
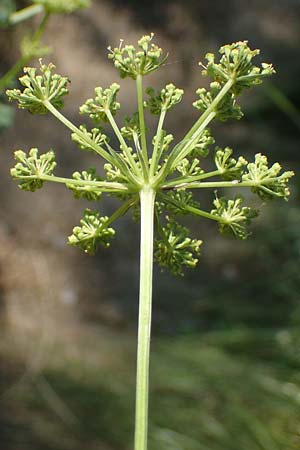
{"x":92,"y":232}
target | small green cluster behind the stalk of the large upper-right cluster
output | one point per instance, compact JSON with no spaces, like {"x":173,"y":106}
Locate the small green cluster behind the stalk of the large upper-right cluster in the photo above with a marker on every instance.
{"x":226,"y":109}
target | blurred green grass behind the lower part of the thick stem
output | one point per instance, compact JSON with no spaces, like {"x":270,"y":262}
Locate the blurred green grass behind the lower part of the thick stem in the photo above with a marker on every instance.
{"x":228,"y":390}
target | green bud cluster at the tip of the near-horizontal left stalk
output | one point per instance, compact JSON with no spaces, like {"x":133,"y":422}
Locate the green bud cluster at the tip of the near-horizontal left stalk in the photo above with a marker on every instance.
{"x":32,"y":165}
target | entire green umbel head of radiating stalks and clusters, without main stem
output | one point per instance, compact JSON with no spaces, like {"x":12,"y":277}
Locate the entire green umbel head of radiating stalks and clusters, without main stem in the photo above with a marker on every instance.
{"x":172,"y":171}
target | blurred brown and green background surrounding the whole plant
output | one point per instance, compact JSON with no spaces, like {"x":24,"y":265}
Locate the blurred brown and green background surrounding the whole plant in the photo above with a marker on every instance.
{"x":226,"y":340}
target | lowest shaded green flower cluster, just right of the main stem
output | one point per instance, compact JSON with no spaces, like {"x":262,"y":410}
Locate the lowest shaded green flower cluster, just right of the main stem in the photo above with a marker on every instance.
{"x":175,"y":250}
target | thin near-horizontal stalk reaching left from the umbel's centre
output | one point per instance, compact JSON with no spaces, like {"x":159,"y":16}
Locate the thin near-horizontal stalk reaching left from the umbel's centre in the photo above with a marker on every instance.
{"x":104,"y":186}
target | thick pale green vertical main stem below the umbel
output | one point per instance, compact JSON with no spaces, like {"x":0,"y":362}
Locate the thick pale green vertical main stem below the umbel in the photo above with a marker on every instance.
{"x":147,"y":198}
